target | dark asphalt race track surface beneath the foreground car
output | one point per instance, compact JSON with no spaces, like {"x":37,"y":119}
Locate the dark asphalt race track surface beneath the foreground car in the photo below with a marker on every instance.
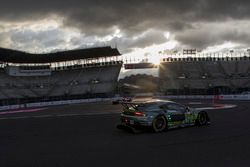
{"x":85,"y":135}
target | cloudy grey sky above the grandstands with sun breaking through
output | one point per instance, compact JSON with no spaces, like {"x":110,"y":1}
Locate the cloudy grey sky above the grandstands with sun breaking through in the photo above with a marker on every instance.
{"x":131,"y":25}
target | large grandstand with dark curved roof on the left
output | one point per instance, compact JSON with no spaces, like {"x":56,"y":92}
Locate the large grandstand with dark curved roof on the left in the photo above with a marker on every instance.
{"x":75,"y":74}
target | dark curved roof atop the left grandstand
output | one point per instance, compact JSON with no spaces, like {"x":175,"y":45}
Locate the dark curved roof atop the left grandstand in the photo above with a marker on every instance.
{"x":14,"y":56}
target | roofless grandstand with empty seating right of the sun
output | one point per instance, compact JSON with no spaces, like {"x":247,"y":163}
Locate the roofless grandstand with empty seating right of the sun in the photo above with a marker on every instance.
{"x":205,"y":75}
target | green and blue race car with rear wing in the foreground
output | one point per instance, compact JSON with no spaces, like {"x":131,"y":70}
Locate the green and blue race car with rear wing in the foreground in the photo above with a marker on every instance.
{"x":160,"y":115}
